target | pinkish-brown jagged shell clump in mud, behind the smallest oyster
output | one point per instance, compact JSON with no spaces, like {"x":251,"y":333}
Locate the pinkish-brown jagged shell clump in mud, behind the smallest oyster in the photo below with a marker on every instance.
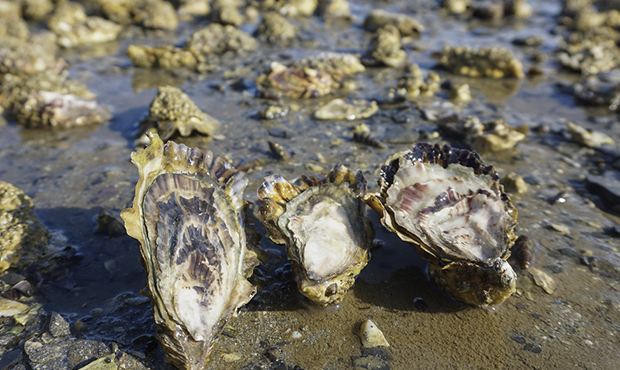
{"x":309,"y":77}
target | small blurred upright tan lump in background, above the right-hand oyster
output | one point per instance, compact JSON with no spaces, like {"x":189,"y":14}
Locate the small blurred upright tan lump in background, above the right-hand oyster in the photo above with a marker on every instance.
{"x":386,"y":48}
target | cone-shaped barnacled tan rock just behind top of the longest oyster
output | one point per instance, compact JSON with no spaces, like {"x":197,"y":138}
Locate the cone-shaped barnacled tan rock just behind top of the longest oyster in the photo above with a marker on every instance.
{"x":172,"y":112}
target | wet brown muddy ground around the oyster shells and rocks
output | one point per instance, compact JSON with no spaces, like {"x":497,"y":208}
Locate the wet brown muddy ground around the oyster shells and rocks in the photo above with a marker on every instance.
{"x":74,"y":174}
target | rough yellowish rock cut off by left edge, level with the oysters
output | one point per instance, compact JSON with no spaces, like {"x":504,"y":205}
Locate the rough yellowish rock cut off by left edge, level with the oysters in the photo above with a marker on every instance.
{"x":22,"y":237}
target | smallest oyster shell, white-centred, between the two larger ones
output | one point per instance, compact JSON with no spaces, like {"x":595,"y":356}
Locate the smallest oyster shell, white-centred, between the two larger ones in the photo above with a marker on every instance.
{"x":322,"y":222}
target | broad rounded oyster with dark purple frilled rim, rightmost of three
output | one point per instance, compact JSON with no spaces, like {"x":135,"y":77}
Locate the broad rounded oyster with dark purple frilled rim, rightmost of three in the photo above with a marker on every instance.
{"x":452,"y":208}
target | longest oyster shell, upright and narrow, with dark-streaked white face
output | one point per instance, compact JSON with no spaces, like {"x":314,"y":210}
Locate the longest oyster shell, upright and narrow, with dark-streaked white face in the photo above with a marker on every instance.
{"x":187,"y":216}
